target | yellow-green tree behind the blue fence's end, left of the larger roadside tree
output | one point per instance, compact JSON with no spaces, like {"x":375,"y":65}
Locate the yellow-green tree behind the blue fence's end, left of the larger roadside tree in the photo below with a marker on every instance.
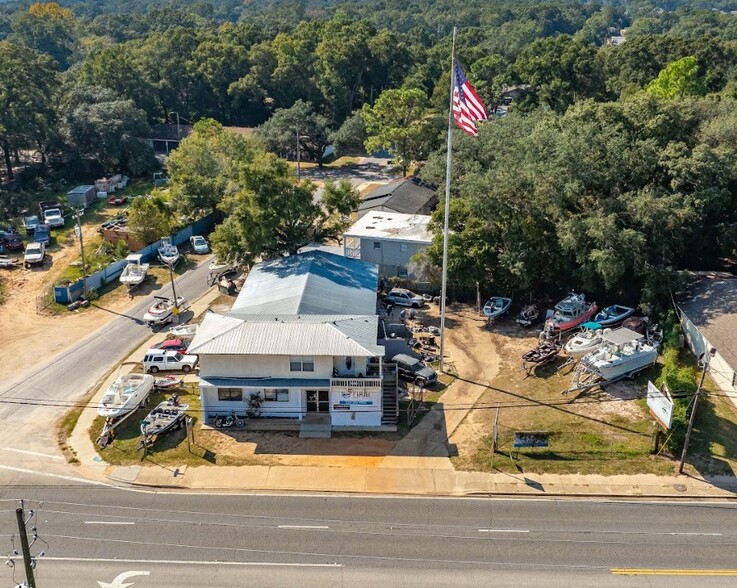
{"x":205,"y":168}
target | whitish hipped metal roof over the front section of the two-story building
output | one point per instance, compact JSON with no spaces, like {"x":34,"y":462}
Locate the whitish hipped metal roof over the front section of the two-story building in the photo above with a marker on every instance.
{"x":315,"y":335}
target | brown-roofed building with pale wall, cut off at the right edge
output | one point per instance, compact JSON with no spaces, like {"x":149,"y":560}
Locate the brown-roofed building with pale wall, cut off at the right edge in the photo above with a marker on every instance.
{"x":708,"y":313}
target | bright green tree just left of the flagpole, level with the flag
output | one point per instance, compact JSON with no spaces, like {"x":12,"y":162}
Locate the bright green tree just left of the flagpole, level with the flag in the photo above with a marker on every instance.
{"x":399,"y":122}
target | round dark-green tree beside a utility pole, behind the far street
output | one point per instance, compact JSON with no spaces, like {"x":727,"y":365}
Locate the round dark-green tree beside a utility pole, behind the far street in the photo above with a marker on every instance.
{"x":280,"y":132}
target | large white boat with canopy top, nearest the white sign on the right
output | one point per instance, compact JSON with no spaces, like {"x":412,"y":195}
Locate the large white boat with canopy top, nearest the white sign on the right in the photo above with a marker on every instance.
{"x":623,"y":353}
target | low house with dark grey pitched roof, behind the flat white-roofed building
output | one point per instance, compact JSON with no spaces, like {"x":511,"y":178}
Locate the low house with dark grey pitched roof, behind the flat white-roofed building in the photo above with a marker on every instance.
{"x":407,"y":196}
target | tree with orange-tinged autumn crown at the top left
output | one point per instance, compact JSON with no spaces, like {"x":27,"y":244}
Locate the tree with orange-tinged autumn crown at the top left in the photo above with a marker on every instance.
{"x":49,"y":28}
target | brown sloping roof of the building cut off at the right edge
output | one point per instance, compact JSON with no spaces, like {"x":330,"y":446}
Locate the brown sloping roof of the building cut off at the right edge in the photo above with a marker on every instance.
{"x":711,"y":305}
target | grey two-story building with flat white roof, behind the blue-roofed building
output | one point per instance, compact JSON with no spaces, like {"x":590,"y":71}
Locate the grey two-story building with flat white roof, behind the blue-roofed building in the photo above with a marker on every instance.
{"x":388,"y":239}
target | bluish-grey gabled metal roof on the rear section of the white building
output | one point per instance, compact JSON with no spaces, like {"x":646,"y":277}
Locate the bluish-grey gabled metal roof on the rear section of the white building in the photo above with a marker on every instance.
{"x":314,"y":282}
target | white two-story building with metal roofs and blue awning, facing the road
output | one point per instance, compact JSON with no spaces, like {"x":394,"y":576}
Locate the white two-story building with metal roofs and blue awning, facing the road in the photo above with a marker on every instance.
{"x":302,"y":335}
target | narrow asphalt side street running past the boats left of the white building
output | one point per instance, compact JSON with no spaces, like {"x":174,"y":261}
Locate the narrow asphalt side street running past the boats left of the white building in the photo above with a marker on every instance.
{"x":32,"y":402}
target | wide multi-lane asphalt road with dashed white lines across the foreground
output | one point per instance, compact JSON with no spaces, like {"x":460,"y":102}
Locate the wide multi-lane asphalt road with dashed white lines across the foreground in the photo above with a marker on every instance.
{"x":94,"y":534}
